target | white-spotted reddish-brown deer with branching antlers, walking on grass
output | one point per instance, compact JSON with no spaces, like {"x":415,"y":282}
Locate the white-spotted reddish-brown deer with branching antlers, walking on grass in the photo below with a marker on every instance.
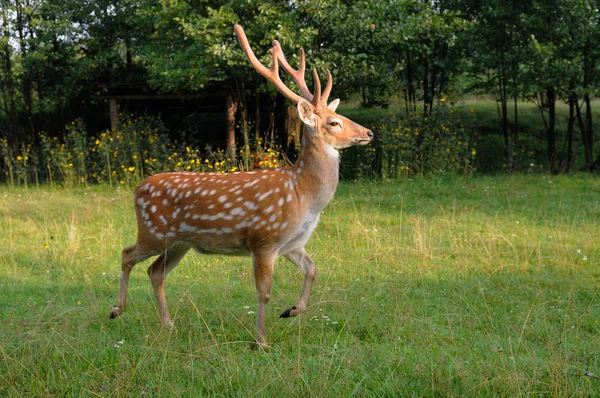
{"x":263,"y":214}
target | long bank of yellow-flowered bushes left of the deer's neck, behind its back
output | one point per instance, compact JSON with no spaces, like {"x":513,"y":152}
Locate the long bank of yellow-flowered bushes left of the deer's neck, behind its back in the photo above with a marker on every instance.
{"x":140,"y":147}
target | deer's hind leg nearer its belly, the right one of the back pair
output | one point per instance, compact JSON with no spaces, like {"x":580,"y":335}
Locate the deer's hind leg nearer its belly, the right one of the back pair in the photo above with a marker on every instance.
{"x":158,"y":271}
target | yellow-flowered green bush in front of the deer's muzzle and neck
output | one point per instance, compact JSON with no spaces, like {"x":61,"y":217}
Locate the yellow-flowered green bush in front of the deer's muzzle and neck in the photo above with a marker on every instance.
{"x":441,"y":141}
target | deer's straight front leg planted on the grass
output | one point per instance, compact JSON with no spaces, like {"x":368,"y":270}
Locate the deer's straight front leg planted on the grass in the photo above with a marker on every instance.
{"x":263,"y":277}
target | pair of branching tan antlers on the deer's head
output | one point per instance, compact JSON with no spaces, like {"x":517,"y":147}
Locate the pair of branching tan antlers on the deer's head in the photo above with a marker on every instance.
{"x":272,"y":74}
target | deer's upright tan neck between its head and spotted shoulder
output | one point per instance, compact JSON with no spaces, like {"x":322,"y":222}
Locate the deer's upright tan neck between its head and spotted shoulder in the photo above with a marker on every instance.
{"x":317,"y":170}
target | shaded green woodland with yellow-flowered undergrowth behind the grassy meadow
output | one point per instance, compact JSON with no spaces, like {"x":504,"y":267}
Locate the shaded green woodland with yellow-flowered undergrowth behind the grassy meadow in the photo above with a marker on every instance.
{"x":406,"y":67}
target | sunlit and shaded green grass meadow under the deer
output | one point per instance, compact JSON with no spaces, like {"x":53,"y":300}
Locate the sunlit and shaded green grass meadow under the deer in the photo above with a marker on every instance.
{"x":450,"y":286}
